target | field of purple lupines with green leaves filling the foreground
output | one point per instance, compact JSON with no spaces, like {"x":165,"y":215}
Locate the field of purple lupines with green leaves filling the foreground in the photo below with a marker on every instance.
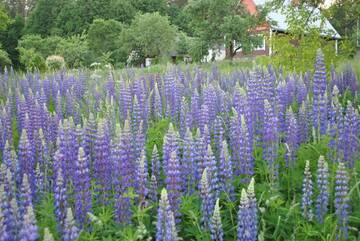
{"x":185,"y":155}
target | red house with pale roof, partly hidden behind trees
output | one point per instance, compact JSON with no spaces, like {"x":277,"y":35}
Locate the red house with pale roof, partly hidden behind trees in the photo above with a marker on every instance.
{"x":275,"y":23}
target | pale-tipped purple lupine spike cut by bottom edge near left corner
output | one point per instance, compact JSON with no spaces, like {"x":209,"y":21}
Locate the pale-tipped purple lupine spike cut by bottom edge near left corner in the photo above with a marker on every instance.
{"x":29,"y":229}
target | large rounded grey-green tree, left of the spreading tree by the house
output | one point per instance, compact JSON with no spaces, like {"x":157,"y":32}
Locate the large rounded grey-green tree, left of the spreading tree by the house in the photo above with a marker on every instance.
{"x":151,"y":34}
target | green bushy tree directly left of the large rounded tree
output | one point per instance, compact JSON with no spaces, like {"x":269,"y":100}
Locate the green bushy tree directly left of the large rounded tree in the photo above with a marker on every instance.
{"x":103,"y":35}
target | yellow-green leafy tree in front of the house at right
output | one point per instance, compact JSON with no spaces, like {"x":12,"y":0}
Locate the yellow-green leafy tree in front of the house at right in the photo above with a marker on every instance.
{"x":295,"y":50}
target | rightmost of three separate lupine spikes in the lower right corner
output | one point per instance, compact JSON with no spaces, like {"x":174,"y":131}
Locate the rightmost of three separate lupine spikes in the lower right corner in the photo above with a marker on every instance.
{"x":342,"y":201}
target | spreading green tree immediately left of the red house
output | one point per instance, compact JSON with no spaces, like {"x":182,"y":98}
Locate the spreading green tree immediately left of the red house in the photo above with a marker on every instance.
{"x":219,"y":22}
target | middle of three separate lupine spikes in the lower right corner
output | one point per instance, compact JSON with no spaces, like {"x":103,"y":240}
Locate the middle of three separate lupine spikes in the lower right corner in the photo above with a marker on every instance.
{"x":322,"y":200}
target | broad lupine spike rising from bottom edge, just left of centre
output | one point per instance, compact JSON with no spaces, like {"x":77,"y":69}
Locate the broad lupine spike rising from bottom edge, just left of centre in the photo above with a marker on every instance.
{"x":165,"y":226}
